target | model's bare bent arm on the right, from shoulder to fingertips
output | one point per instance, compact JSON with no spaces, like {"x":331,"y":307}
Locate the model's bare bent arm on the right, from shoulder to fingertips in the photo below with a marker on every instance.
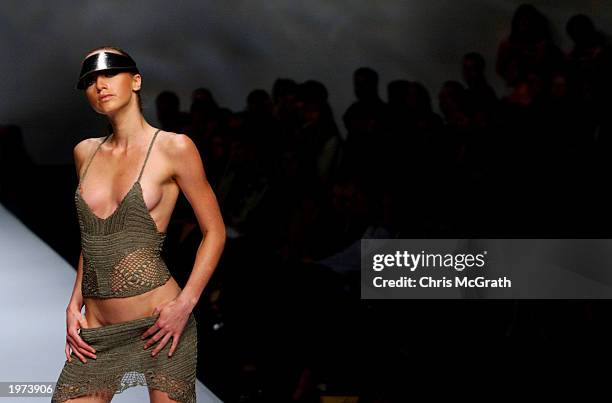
{"x":188,"y":172}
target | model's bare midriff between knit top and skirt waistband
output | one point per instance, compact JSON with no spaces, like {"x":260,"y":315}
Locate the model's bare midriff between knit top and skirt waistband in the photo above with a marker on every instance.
{"x":108,"y":311}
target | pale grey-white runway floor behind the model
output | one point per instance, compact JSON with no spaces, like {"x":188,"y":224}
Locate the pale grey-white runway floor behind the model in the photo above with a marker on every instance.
{"x":35,"y":287}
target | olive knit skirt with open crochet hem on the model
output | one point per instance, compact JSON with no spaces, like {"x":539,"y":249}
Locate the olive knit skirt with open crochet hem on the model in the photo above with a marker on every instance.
{"x":122,"y":362}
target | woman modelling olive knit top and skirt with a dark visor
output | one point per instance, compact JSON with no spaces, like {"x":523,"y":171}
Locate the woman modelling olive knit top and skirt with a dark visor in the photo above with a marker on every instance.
{"x":138,"y":326}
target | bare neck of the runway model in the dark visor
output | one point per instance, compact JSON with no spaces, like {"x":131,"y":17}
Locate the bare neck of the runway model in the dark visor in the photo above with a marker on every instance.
{"x":129,"y":127}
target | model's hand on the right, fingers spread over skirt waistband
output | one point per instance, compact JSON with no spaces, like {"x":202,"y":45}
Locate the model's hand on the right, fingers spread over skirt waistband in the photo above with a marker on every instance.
{"x":173,"y":316}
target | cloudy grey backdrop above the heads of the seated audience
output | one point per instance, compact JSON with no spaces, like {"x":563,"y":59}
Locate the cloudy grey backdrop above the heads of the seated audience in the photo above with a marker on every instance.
{"x":234,"y":46}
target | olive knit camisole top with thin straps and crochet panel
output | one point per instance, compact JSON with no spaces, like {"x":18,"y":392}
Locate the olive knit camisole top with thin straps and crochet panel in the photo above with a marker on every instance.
{"x":121,"y":253}
